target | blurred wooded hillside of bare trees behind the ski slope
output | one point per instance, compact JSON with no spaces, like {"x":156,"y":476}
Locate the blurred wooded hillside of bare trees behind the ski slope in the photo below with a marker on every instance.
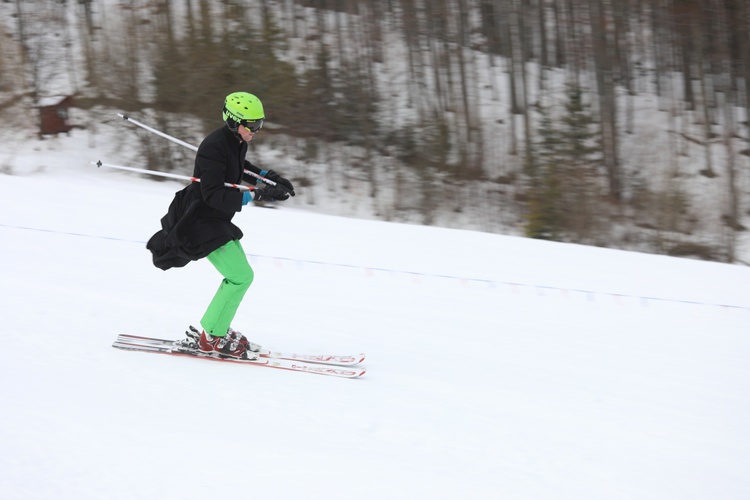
{"x":618,"y":123}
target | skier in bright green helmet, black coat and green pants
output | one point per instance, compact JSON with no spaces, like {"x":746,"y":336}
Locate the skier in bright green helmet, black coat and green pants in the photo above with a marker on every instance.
{"x":198,"y":223}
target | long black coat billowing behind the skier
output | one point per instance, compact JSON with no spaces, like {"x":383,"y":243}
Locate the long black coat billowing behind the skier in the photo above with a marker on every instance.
{"x":199,"y":219}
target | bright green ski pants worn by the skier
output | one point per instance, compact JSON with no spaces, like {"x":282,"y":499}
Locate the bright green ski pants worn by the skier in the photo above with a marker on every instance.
{"x":231,"y":261}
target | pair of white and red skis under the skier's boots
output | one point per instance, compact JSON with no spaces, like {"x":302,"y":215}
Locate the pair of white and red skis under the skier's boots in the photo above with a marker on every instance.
{"x":332,"y":365}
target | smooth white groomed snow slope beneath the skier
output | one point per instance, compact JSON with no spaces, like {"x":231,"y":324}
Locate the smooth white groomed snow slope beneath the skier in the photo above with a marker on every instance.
{"x":498,"y":367}
